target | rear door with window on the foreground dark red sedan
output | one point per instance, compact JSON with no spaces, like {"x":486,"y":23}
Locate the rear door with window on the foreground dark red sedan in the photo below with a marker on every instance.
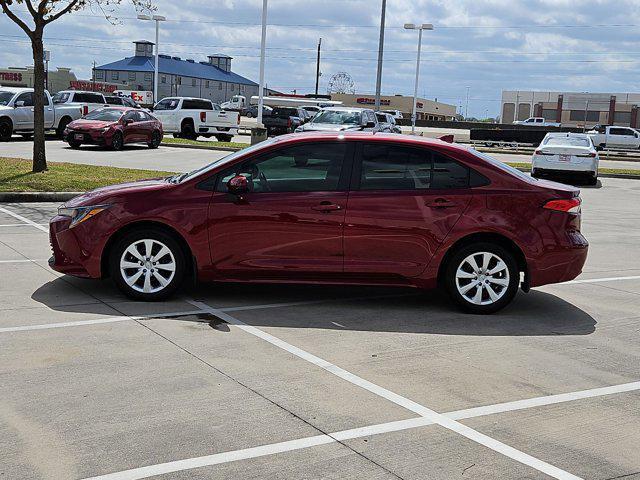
{"x":403,"y":203}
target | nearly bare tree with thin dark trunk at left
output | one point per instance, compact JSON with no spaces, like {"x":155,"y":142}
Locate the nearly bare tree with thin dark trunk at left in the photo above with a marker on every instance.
{"x":42,"y":13}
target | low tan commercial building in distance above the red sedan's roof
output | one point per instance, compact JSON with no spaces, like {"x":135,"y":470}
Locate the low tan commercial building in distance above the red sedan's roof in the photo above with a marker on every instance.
{"x":426,"y":109}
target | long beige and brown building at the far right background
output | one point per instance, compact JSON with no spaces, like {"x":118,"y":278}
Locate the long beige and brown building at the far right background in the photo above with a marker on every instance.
{"x":572,"y":108}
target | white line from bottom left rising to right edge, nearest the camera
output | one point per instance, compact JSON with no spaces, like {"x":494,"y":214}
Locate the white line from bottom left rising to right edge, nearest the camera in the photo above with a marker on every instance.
{"x":397,"y":426}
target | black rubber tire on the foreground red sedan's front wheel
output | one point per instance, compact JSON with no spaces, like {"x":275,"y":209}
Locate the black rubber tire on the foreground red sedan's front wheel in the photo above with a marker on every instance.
{"x":136,"y":291}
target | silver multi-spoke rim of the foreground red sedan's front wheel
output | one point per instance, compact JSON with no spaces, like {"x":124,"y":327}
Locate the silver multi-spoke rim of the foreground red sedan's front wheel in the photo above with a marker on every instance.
{"x":147,"y":266}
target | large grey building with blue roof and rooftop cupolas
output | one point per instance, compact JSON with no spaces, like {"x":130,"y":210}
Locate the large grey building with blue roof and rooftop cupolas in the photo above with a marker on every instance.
{"x":212,"y":79}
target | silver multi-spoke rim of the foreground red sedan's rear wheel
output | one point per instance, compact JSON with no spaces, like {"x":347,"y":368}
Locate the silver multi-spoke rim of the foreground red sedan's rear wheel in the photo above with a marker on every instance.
{"x":482,"y":278}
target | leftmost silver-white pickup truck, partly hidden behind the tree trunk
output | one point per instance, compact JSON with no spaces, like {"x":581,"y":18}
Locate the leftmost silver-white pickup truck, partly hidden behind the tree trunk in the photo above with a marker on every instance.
{"x":16,"y":113}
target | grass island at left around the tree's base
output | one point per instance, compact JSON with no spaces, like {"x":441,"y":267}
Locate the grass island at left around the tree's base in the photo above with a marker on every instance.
{"x":16,"y":176}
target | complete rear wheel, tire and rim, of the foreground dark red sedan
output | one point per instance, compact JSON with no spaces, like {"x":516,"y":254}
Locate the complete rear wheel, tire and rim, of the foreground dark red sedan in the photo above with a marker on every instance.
{"x":482,"y":278}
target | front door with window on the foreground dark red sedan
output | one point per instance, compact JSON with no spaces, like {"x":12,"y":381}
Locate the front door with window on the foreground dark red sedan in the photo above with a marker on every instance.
{"x":290,"y":222}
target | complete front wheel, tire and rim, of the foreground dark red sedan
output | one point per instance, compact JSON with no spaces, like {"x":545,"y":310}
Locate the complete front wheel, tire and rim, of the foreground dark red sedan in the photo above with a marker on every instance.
{"x":147,"y":265}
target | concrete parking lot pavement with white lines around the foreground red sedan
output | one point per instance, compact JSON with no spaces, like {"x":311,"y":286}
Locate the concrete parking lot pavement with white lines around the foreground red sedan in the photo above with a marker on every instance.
{"x":254,"y":382}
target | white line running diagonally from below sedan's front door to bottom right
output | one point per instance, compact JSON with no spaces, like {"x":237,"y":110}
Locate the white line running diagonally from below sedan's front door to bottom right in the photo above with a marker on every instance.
{"x":421,"y":410}
